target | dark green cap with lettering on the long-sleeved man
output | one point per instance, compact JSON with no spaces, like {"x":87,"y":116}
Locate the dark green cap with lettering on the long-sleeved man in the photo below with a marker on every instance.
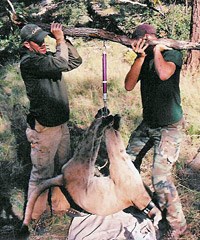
{"x":32,"y":32}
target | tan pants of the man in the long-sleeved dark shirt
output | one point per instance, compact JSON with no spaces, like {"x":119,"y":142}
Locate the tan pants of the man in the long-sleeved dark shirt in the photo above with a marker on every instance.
{"x":50,"y":150}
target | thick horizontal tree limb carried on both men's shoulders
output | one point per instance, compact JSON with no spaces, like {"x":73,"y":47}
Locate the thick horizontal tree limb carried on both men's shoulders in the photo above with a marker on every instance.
{"x":123,"y":39}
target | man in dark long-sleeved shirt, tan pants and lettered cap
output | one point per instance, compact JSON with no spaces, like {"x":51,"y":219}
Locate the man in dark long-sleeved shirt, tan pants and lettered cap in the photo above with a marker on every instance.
{"x":47,"y":129}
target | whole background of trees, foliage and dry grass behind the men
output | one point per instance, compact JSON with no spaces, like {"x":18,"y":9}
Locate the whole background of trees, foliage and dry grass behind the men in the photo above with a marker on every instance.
{"x":176,"y":19}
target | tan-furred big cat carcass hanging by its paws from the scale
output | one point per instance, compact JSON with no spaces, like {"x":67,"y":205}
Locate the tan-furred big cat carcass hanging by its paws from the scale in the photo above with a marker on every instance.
{"x":101,"y":195}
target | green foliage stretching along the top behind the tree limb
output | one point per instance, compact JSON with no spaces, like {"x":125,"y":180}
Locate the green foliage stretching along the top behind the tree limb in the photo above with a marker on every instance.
{"x":175,"y":23}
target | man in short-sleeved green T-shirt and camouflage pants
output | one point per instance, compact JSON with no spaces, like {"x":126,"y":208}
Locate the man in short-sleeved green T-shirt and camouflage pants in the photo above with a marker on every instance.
{"x":158,"y":70}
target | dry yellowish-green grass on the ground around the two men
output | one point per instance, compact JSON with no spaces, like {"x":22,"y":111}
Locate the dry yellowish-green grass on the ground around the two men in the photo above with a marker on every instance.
{"x":85,"y":93}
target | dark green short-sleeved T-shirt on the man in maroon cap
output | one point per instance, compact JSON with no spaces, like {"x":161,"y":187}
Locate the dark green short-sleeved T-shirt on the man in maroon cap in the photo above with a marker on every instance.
{"x":161,"y":99}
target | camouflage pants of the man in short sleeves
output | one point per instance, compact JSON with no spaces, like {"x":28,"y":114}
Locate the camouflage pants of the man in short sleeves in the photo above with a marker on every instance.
{"x":166,"y":143}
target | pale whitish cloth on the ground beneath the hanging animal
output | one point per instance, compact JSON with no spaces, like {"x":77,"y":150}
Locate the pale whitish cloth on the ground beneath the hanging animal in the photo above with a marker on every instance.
{"x":127,"y":225}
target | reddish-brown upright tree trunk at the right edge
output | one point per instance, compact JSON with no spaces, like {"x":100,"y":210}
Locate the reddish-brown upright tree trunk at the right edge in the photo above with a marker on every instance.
{"x":193,"y":59}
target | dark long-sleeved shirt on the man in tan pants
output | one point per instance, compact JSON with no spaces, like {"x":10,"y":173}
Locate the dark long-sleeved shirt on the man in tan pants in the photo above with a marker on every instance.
{"x":42,"y":75}
